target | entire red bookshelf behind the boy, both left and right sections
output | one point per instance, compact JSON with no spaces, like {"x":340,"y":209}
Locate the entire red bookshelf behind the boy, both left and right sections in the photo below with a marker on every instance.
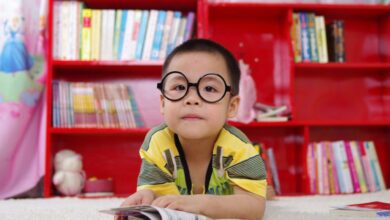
{"x":332,"y":101}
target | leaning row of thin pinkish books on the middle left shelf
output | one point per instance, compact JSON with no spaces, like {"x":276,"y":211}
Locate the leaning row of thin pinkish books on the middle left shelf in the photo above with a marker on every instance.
{"x":90,"y":105}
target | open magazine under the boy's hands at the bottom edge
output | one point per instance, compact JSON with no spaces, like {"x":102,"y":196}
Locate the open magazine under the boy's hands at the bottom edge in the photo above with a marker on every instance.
{"x":153,"y":213}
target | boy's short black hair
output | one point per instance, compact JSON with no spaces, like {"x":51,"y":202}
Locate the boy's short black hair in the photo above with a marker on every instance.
{"x":205,"y":45}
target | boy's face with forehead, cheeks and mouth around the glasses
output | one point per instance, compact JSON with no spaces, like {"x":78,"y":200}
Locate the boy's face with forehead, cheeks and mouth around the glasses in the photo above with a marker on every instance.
{"x":191,"y":117}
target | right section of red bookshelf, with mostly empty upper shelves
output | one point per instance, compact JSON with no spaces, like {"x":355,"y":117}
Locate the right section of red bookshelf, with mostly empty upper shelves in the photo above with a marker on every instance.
{"x":330,"y":101}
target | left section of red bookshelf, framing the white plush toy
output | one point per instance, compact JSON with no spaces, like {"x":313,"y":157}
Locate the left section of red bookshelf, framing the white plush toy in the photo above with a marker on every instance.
{"x":106,"y":152}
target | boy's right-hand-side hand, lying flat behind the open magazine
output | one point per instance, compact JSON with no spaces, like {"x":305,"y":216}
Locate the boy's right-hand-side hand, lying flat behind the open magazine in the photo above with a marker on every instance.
{"x":191,"y":203}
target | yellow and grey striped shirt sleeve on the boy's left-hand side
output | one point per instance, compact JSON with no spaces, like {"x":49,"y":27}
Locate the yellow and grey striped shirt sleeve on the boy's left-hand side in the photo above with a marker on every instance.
{"x":153,"y":174}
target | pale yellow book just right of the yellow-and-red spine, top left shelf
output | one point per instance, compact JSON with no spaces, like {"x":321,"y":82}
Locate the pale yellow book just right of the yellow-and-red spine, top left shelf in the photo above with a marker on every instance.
{"x":95,"y":34}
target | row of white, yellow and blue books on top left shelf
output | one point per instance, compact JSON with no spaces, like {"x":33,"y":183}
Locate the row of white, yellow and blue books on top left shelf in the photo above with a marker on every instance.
{"x":125,"y":35}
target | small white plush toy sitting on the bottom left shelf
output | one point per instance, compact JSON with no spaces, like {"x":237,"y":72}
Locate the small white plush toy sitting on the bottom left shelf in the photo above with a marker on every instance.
{"x":69,"y":177}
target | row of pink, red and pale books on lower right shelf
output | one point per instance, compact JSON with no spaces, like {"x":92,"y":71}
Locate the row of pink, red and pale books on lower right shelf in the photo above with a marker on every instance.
{"x":344,"y":167}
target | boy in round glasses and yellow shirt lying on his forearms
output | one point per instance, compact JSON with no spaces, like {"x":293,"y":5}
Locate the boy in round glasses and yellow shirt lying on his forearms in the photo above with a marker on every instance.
{"x":192,"y":159}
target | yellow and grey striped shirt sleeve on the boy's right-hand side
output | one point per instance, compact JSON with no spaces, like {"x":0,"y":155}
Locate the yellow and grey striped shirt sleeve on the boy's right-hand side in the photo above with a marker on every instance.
{"x":248,"y":172}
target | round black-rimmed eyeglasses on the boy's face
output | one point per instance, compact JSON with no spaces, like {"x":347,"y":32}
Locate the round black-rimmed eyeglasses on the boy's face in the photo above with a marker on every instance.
{"x":211,"y":87}
